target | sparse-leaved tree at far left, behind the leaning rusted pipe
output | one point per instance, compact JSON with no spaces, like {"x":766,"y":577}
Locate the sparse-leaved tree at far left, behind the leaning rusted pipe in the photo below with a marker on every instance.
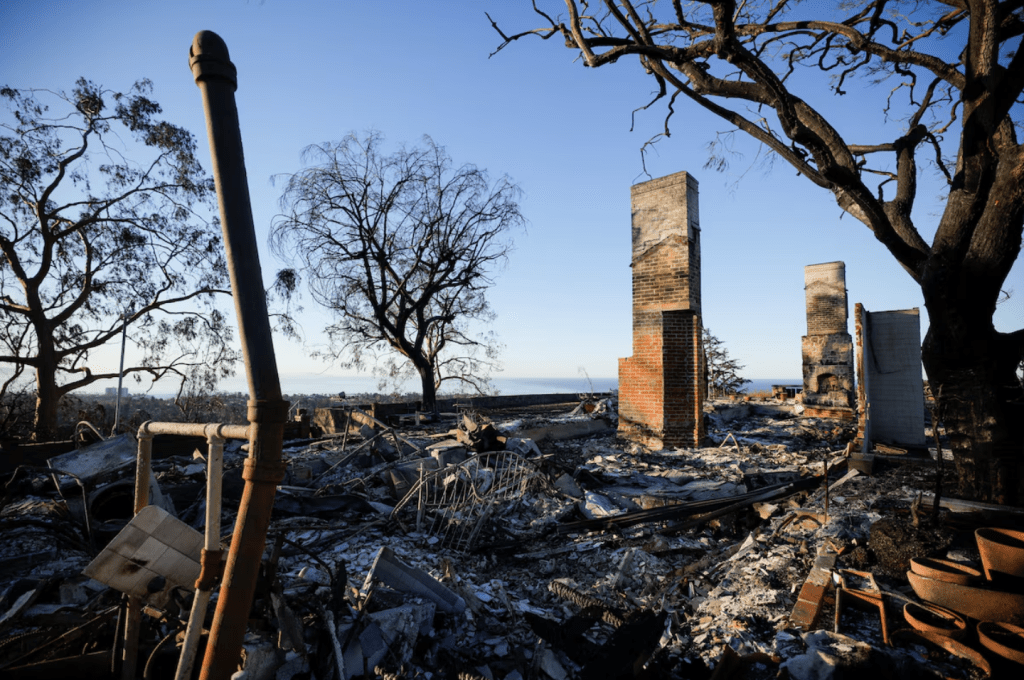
{"x":92,"y":242}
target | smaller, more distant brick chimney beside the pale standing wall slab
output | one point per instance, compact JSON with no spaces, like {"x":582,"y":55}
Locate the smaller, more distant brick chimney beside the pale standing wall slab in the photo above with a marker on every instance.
{"x":828,"y":348}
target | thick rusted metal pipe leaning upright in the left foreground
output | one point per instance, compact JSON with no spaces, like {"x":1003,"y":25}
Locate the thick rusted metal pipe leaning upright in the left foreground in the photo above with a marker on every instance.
{"x":218,"y":81}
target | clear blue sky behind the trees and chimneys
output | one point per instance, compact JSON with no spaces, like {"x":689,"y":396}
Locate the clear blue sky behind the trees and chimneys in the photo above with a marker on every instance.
{"x":312,"y":72}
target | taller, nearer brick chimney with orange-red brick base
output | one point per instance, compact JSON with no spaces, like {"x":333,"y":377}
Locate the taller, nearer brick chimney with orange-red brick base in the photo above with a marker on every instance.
{"x":661,"y":396}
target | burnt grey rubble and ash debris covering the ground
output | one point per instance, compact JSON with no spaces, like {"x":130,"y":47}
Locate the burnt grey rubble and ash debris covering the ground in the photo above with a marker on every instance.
{"x":515,"y":544}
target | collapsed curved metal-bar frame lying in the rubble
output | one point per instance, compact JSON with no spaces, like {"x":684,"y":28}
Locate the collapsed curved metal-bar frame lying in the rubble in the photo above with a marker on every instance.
{"x":460,"y":499}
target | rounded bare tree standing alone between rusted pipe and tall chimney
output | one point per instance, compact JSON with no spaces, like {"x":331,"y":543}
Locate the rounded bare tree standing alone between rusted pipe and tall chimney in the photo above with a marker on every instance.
{"x":400,"y":247}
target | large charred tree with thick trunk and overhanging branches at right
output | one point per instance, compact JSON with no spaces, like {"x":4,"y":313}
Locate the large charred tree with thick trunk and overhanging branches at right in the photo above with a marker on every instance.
{"x":957,"y":75}
